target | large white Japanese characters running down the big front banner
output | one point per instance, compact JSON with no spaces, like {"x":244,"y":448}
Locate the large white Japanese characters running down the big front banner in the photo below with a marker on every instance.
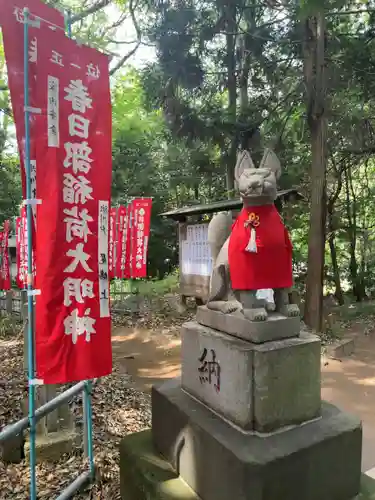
{"x":76,"y":192}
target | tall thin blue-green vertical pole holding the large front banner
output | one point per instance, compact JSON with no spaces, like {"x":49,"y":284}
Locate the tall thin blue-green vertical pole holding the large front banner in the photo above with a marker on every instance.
{"x":30,"y":300}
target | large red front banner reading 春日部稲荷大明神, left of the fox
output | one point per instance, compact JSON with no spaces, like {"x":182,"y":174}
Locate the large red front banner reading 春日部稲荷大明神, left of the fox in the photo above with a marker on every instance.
{"x":73,"y":326}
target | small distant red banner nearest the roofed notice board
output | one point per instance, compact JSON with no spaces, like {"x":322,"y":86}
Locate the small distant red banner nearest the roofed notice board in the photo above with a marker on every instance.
{"x":140,"y":237}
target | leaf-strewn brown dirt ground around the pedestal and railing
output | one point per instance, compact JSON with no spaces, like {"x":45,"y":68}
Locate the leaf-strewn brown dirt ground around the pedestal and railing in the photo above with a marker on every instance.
{"x":146,"y":352}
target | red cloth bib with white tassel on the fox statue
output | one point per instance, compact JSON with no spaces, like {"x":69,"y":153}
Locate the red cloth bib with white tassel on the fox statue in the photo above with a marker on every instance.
{"x":271,"y":265}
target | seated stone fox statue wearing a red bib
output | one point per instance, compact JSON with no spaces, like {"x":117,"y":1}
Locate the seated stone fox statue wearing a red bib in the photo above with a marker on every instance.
{"x":256,"y":253}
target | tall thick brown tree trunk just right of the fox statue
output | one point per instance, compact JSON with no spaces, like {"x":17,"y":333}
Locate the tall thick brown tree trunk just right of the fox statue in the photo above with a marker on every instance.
{"x":316,"y":104}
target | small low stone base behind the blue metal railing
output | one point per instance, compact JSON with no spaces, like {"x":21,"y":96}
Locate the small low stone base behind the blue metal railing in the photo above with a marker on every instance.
{"x":50,"y":447}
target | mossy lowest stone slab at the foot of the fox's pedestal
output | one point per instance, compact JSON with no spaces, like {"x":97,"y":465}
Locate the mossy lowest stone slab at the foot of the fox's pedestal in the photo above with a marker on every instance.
{"x":145,"y":474}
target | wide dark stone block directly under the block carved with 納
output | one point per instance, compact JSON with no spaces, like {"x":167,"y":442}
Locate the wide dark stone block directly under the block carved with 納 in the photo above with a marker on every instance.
{"x":317,"y":461}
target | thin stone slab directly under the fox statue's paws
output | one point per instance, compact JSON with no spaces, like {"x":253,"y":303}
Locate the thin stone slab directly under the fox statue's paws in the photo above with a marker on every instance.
{"x":276,"y":327}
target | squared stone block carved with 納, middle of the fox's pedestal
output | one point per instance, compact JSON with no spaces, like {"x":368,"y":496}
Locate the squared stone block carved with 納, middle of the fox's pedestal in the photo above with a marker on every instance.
{"x":259,"y":387}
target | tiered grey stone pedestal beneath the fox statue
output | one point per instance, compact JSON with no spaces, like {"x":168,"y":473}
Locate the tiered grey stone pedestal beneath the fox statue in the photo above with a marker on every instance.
{"x":246,"y":420}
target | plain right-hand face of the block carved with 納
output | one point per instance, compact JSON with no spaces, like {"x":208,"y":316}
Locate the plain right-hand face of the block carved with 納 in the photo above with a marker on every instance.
{"x":286,"y":382}
